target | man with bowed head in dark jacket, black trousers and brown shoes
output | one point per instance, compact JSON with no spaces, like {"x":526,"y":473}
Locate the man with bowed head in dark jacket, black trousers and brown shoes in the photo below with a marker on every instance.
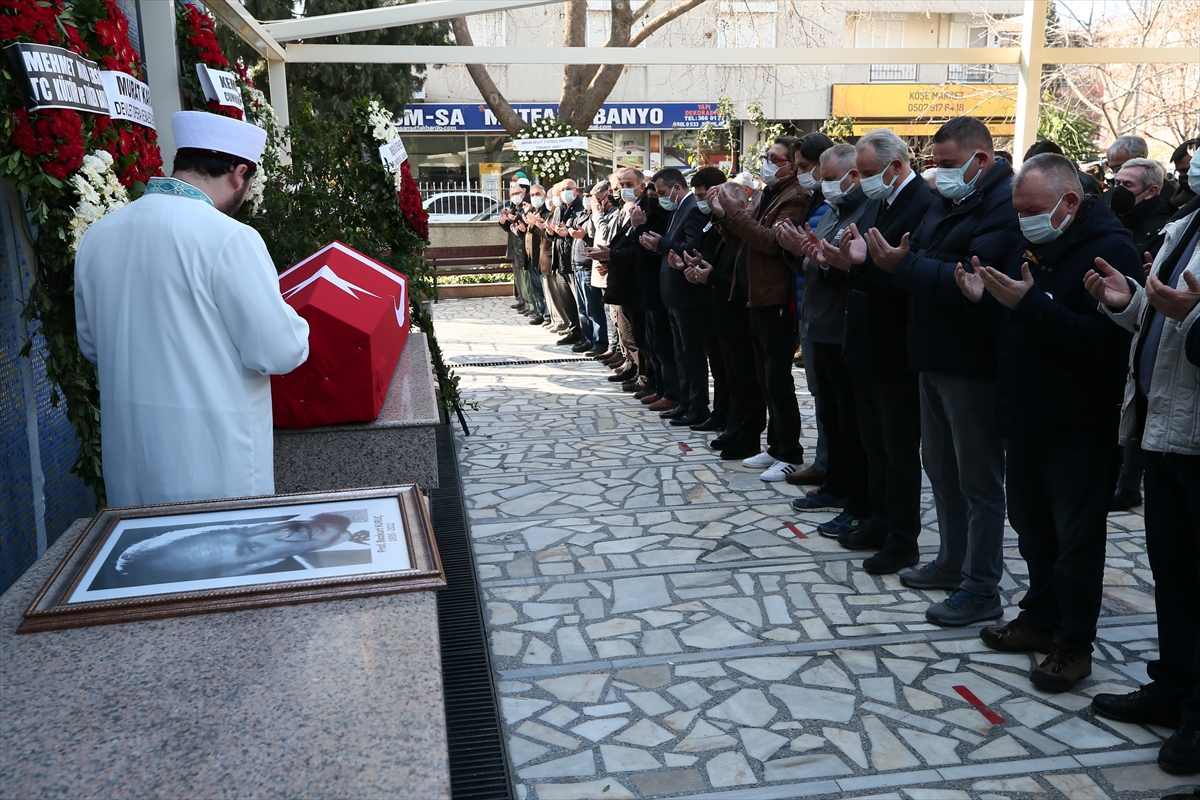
{"x":1061,"y":381}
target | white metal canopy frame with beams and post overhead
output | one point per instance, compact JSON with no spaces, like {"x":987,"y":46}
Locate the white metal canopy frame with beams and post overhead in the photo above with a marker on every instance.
{"x":267,"y":39}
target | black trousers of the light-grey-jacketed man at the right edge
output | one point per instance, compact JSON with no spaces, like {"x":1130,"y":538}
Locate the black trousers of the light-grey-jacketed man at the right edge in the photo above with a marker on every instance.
{"x":1173,"y":544}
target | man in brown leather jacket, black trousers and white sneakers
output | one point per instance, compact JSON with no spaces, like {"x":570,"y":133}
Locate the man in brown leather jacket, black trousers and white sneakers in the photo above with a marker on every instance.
{"x":763,"y":281}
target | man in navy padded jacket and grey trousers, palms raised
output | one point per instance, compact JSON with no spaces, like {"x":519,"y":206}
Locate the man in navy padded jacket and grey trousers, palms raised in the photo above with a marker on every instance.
{"x":962,"y":448}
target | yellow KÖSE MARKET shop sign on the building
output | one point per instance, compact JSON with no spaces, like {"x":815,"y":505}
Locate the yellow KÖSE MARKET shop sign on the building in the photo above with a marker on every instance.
{"x":925,"y":101}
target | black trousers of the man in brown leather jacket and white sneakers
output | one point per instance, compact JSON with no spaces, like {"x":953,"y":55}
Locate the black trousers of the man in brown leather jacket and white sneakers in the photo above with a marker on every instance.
{"x":773,"y":335}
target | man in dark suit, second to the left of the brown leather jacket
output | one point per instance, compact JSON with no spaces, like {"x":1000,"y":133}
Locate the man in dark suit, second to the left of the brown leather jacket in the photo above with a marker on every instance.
{"x":685,"y":302}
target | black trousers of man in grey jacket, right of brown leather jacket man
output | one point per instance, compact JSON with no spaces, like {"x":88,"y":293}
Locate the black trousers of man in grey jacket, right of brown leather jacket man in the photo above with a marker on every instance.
{"x":847,"y":471}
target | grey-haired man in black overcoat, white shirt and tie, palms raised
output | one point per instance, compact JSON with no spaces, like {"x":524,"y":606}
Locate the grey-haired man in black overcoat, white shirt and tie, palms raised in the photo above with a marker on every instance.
{"x":886,"y":390}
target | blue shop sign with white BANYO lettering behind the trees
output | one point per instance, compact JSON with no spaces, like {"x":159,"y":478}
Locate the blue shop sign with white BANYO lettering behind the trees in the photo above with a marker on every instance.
{"x":613,"y":117}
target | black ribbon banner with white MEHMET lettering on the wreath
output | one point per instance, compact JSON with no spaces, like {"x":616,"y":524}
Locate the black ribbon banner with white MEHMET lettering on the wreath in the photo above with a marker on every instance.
{"x":52,"y":77}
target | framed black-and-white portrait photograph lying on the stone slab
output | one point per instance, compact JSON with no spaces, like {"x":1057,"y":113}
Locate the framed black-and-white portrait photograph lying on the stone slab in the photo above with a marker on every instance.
{"x":211,"y":556}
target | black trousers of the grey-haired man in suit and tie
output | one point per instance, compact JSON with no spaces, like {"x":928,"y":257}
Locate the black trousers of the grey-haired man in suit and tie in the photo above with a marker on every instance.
{"x":890,"y":425}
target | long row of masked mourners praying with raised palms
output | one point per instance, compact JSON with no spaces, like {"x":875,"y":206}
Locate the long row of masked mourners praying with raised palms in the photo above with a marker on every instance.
{"x":1030,"y":338}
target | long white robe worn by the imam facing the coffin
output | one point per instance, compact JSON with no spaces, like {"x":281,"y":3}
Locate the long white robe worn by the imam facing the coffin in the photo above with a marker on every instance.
{"x":179,"y":308}
